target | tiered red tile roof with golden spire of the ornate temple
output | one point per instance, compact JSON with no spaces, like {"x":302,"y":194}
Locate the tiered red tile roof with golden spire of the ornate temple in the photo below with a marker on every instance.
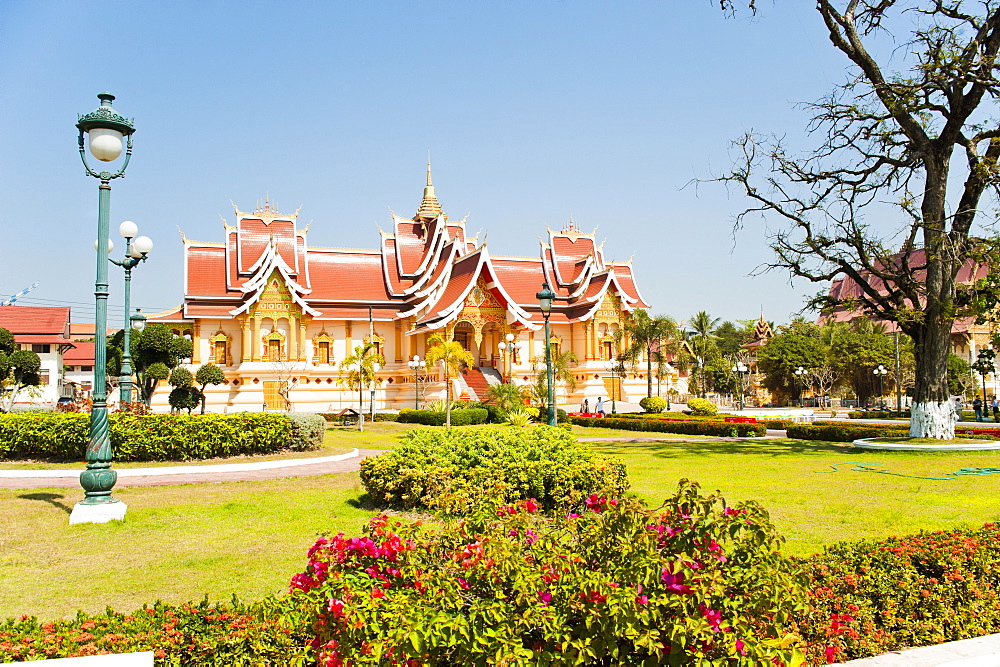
{"x":424,"y":268}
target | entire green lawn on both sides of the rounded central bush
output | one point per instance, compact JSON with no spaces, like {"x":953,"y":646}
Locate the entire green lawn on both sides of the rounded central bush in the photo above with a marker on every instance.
{"x":180,"y":542}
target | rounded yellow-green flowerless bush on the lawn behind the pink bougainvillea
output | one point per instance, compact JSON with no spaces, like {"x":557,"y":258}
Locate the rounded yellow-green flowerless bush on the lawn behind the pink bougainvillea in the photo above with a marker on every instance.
{"x":450,"y":471}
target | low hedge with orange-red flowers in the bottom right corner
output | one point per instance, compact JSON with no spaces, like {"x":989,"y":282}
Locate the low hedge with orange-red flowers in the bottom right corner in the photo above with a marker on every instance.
{"x":870,"y":597}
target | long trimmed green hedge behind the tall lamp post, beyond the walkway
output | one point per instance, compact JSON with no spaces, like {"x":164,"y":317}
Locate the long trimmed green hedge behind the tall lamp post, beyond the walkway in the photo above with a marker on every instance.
{"x":64,"y":436}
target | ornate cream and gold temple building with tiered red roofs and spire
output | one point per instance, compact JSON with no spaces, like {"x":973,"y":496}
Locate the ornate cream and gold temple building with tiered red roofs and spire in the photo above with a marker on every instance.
{"x":280,"y":316}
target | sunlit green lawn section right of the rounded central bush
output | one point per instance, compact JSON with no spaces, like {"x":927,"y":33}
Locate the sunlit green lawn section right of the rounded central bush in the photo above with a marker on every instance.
{"x":811,"y":504}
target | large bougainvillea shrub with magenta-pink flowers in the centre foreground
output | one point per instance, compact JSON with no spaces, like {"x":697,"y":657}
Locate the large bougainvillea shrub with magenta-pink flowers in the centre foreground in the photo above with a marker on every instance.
{"x":691,"y":582}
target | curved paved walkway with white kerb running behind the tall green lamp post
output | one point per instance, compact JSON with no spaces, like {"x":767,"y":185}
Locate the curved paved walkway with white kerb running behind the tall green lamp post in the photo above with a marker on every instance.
{"x":193,"y":474}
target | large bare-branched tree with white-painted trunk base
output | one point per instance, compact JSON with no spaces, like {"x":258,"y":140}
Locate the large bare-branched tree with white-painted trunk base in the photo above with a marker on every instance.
{"x":870,"y":204}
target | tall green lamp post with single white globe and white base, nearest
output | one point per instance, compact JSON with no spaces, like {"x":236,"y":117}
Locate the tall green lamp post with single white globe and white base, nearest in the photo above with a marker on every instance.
{"x":104,"y":129}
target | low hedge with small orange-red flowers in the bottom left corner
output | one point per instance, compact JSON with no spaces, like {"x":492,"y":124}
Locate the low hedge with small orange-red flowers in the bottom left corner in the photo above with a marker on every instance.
{"x":186,"y":634}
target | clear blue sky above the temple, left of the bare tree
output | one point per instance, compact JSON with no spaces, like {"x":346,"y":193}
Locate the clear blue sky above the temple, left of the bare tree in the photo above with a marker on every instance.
{"x":532,"y":111}
